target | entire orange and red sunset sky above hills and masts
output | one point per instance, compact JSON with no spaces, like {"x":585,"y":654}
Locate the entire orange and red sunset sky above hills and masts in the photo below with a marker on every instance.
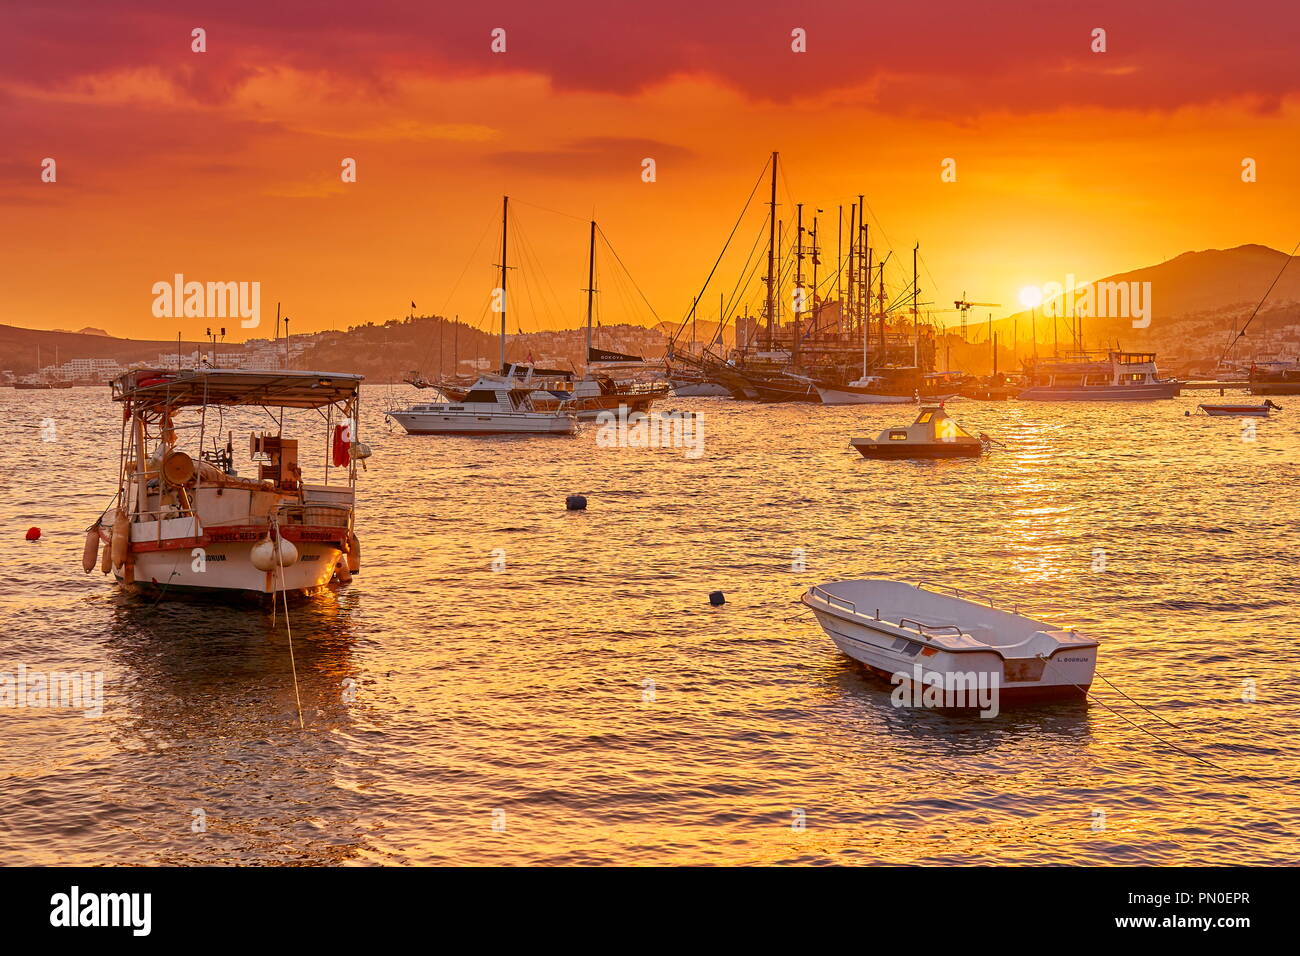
{"x":224,"y":166}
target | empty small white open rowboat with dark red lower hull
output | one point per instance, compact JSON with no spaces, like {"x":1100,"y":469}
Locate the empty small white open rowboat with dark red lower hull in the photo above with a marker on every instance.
{"x":912,"y":634}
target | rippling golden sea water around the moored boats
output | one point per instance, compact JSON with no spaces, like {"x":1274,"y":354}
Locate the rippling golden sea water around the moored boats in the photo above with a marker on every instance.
{"x":506,"y":717}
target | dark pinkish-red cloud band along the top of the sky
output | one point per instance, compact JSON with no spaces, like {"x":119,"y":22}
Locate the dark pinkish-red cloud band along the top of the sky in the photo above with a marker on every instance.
{"x":939,"y":58}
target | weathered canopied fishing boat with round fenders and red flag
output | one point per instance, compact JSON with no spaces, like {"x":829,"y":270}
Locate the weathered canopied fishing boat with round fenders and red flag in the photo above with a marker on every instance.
{"x":188,"y":522}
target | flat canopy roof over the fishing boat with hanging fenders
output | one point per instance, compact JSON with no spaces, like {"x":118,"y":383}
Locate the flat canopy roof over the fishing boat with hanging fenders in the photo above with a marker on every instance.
{"x":274,"y":388}
